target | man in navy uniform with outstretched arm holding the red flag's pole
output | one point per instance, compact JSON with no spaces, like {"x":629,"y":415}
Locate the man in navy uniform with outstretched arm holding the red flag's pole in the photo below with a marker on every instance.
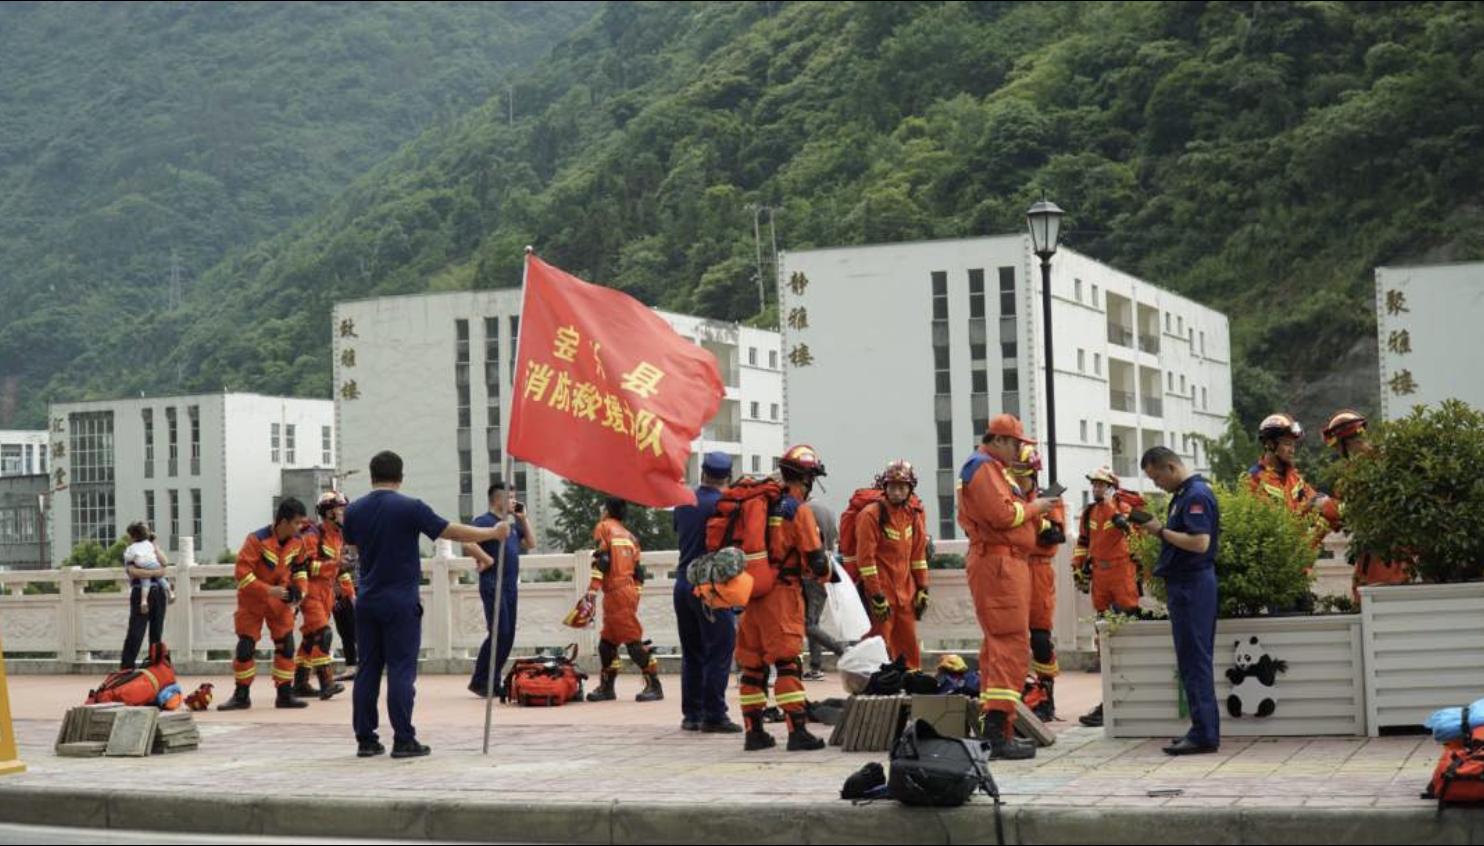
{"x":384,"y":526}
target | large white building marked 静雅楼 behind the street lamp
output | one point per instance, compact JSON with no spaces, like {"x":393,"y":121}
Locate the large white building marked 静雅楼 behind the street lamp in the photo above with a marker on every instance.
{"x":909,"y":350}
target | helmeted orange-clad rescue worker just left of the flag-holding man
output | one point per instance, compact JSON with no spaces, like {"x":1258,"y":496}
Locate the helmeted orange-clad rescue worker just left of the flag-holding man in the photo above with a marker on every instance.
{"x":318,"y":578}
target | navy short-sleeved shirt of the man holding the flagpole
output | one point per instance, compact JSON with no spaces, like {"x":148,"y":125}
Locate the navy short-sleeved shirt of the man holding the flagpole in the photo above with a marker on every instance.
{"x":385,"y":526}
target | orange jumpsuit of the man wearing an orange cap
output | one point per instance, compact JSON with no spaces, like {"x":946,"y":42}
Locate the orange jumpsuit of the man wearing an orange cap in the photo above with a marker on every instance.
{"x":1002,"y":534}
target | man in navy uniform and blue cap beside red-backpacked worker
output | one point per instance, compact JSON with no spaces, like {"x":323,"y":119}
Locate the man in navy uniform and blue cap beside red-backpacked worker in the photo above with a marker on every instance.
{"x":707,"y":639}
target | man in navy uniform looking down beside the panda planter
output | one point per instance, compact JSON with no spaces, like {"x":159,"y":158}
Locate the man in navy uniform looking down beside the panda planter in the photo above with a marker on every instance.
{"x":1188,"y":565}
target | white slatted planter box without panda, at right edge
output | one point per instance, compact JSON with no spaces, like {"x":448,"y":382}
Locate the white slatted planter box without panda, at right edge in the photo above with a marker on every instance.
{"x":1424,"y":651}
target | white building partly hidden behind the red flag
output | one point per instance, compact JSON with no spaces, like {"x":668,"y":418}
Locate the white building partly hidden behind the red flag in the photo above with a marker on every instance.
{"x":430,"y":378}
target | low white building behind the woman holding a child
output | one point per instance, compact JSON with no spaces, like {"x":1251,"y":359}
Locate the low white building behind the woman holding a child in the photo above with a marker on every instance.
{"x":209,"y":467}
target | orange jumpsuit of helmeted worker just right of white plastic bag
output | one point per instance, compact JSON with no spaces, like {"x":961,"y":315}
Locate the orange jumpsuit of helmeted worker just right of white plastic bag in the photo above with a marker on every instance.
{"x":893,"y":560}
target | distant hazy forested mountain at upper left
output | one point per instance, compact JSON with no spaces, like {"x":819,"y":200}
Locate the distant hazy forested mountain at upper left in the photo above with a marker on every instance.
{"x":143,"y":142}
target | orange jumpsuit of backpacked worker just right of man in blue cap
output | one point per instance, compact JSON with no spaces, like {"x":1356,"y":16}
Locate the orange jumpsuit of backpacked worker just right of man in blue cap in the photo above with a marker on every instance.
{"x":772,"y":627}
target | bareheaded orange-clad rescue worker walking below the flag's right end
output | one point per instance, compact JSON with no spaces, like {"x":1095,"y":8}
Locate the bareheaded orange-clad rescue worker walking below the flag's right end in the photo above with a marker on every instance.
{"x":618,"y":574}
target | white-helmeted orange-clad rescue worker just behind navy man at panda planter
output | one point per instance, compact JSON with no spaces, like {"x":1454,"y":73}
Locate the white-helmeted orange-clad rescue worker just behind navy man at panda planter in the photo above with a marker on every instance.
{"x":1102,"y":559}
